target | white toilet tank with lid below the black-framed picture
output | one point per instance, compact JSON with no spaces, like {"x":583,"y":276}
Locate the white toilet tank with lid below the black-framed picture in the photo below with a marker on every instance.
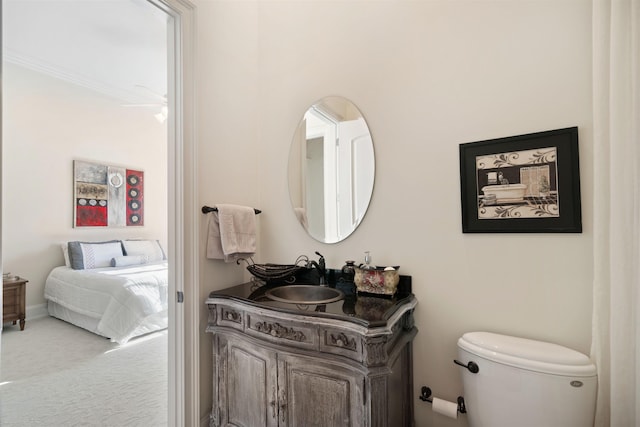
{"x":525,"y":383}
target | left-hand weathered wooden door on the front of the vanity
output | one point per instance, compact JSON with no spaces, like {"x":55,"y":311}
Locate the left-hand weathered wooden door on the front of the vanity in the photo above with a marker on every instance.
{"x":247,"y":387}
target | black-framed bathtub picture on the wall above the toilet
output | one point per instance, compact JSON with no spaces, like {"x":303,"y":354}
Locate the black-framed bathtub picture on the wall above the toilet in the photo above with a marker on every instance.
{"x":522,"y":184}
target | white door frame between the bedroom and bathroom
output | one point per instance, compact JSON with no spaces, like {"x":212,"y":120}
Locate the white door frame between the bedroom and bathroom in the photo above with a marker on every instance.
{"x":183,"y":369}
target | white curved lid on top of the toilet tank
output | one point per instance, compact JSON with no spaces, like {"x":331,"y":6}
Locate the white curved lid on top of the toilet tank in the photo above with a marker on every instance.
{"x":528,"y":354}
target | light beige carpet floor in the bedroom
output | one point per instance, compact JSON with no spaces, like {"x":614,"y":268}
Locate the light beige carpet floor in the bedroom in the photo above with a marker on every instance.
{"x":55,"y":374}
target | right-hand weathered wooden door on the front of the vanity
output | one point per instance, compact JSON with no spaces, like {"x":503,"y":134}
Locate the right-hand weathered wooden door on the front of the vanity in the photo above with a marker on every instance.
{"x":317,"y":393}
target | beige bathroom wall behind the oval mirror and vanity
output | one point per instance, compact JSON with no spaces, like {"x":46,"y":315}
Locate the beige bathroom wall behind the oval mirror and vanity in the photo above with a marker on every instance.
{"x":427,"y":75}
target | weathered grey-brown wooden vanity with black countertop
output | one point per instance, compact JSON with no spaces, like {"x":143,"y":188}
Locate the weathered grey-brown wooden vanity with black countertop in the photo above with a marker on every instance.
{"x":343,"y":363}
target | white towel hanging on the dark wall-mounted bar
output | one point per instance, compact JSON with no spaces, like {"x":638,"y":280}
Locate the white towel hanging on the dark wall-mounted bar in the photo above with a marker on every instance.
{"x":232,"y":233}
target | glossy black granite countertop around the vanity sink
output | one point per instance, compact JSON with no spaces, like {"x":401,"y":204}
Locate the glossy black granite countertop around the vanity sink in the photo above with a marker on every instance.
{"x":366,"y":309}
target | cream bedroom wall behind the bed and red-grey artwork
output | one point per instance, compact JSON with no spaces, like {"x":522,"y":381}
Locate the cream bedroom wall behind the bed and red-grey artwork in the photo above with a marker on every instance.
{"x":47,"y":123}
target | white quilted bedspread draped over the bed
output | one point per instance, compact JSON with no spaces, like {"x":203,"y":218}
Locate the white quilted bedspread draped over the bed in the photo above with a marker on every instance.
{"x":124,"y":301}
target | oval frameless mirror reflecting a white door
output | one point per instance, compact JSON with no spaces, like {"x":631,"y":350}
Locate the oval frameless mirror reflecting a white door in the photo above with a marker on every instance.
{"x":331,"y":169}
